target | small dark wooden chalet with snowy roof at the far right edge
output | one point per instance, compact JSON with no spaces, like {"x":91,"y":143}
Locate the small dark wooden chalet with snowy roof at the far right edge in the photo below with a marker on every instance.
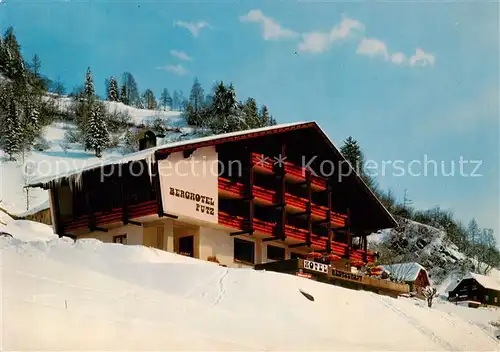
{"x":476,"y":288}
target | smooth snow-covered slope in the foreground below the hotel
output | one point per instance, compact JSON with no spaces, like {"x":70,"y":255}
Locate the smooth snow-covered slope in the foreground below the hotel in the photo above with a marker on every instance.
{"x":86,"y":295}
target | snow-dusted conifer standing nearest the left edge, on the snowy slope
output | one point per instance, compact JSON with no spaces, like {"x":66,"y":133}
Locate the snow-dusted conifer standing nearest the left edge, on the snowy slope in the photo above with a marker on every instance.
{"x":12,"y":131}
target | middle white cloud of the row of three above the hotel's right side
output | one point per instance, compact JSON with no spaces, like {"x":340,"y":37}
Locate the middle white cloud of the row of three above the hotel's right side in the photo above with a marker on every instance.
{"x":318,"y":42}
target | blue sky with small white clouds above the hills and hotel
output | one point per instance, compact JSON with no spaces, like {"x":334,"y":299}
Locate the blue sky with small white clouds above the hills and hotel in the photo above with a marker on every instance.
{"x":409,"y":80}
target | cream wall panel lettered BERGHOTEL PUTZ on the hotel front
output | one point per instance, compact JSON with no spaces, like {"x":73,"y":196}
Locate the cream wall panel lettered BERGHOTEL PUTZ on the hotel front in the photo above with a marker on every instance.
{"x":189,"y":186}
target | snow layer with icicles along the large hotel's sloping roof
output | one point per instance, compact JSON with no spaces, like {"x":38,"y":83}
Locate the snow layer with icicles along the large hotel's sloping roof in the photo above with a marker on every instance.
{"x":148,"y":154}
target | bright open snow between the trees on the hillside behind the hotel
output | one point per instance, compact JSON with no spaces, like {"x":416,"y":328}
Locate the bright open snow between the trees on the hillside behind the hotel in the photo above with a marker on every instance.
{"x":62,"y":156}
